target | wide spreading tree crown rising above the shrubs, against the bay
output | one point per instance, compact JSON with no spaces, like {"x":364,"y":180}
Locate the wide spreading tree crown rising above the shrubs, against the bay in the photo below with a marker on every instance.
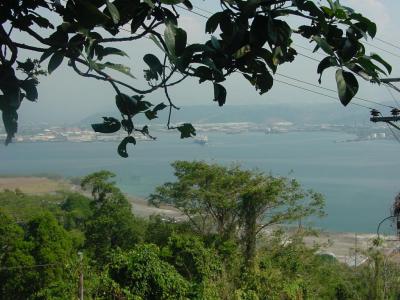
{"x":235,"y":203}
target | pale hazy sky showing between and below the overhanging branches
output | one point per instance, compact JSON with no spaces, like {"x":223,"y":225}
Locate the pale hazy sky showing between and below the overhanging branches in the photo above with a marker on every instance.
{"x":64,"y":96}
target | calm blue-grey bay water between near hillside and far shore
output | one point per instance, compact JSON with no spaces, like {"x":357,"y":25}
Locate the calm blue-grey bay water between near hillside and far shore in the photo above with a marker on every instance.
{"x":358,"y":179}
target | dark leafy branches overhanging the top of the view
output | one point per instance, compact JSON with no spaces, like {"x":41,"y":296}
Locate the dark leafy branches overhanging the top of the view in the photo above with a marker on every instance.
{"x":251,"y":38}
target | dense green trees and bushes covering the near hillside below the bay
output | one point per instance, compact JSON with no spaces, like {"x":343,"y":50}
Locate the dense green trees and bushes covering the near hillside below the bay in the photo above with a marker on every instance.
{"x":126,"y":257}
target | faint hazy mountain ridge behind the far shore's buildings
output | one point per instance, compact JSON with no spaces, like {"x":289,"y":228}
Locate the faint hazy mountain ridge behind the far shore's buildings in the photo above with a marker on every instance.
{"x":261,"y":114}
